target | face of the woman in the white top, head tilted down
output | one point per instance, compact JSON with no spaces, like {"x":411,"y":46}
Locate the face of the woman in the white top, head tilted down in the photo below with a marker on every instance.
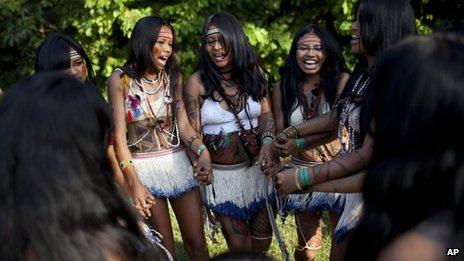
{"x":216,"y":49}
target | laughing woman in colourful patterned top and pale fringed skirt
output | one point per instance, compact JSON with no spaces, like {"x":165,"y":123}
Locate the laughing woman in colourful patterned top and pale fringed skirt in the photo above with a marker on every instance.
{"x":150,"y":122}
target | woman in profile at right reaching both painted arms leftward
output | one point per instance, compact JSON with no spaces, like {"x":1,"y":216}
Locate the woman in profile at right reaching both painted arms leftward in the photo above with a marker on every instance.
{"x":378,"y":25}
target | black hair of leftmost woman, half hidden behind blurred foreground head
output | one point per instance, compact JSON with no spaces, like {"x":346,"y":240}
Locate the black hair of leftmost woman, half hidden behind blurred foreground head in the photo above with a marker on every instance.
{"x":53,"y":54}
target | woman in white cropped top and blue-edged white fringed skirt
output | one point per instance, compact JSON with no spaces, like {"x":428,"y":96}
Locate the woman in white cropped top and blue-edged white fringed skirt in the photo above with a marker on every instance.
{"x":226,"y":100}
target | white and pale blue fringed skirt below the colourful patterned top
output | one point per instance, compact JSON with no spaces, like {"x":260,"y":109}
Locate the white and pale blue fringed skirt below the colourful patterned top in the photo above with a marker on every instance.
{"x":166,"y":173}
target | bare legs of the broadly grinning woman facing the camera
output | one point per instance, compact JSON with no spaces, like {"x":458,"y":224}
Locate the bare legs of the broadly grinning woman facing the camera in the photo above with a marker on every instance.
{"x":309,"y":232}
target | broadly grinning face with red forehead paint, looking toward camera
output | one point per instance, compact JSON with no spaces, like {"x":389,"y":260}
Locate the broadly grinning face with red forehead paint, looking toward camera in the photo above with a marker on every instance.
{"x":310,"y":53}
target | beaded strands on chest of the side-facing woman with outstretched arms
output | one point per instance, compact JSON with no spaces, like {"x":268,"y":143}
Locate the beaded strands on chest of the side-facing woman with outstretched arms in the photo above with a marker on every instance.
{"x":348,"y":106}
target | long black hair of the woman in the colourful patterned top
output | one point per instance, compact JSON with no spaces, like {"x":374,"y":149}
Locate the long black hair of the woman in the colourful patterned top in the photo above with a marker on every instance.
{"x":139,"y":57}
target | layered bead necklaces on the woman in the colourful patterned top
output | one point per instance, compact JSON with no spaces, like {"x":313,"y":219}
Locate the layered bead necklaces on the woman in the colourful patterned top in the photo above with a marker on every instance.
{"x":161,"y":82}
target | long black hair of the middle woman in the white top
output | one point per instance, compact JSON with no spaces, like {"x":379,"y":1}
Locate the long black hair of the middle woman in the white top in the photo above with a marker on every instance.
{"x":248,"y":70}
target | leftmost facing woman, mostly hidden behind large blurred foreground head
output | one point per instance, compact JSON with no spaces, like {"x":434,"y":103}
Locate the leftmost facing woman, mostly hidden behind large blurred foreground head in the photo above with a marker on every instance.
{"x":59,"y":52}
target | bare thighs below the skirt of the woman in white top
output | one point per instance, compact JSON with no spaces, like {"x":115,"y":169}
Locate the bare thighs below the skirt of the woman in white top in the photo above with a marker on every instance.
{"x":236,"y":232}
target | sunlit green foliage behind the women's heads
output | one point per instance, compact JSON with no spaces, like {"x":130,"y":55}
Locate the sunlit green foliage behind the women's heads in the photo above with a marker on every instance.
{"x":103,"y":27}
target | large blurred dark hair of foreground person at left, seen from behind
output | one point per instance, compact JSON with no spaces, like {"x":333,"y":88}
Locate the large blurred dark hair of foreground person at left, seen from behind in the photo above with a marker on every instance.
{"x":58,"y":200}
